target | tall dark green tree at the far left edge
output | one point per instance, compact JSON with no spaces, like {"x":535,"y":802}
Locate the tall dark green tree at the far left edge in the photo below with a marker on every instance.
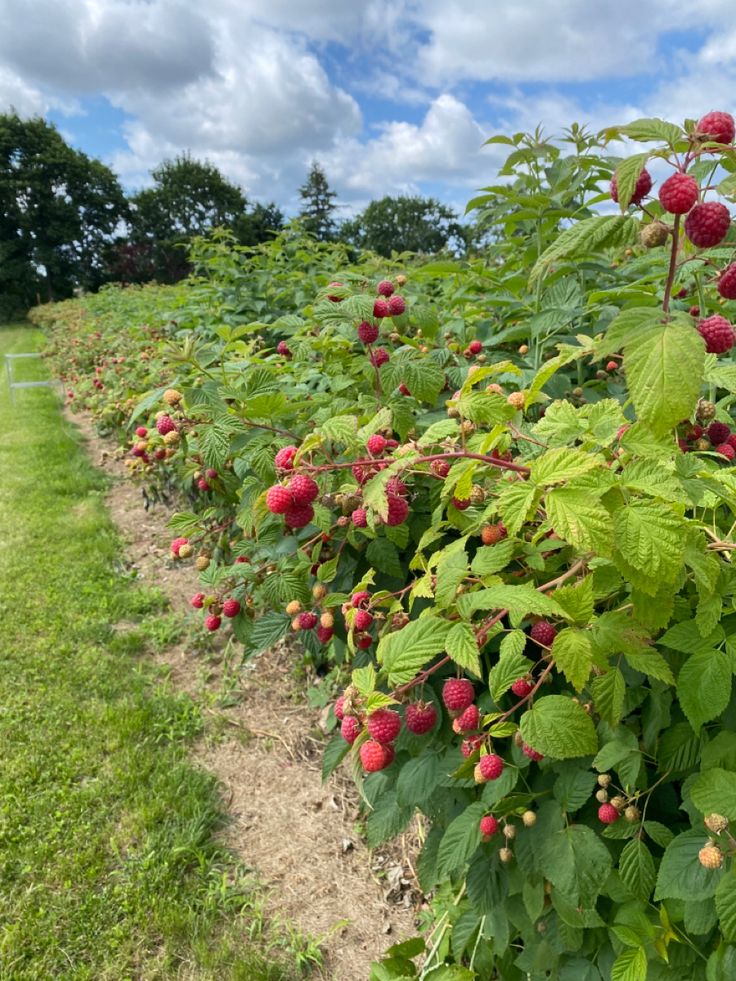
{"x":59,"y":210}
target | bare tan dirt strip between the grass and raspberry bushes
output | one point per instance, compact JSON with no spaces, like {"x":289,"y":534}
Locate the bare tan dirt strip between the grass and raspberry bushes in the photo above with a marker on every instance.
{"x":299,"y":834}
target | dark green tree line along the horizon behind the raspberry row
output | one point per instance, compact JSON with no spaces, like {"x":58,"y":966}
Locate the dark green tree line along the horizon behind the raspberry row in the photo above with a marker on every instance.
{"x":66,"y":222}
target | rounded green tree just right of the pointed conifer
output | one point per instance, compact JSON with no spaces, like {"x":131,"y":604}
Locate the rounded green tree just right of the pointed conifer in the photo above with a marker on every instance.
{"x":405,"y":224}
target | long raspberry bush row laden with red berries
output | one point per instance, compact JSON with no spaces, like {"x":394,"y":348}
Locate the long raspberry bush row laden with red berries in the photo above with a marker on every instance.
{"x":518,"y":556}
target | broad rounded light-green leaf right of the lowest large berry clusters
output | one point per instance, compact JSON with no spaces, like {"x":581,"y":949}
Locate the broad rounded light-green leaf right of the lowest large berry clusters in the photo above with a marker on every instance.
{"x":559,"y":728}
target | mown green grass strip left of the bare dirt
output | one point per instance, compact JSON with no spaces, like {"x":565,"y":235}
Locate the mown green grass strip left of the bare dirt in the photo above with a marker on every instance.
{"x":110,"y":868}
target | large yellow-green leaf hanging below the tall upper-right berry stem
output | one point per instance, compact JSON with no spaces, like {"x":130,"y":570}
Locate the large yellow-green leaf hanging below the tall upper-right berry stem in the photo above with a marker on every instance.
{"x":664,"y":369}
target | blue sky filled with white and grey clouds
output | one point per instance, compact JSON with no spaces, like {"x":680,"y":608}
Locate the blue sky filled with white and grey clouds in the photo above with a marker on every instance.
{"x":390,"y":96}
